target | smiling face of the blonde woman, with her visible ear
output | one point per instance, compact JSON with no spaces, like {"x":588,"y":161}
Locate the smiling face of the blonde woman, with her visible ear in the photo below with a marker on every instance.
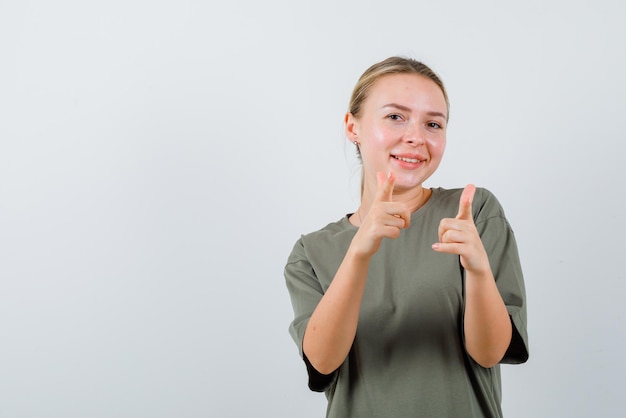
{"x":401,"y":128}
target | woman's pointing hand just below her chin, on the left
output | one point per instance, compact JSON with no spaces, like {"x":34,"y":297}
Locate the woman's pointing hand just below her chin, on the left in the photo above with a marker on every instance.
{"x":385,"y":218}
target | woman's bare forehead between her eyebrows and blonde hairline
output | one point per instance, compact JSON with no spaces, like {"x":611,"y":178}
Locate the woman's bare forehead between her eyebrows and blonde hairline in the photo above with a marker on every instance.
{"x":410,"y":90}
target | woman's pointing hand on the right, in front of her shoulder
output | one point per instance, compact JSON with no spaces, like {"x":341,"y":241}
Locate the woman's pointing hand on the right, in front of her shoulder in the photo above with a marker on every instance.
{"x":459,"y":236}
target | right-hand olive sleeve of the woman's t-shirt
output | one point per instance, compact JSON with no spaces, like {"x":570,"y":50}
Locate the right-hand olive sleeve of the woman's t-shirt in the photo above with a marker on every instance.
{"x":499,"y":242}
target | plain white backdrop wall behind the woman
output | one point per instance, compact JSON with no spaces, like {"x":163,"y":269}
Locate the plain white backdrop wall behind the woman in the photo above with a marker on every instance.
{"x":158,"y":159}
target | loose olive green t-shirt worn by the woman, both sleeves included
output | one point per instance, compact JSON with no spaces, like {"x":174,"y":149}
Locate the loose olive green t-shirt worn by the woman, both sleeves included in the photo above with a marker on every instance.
{"x":408,"y":357}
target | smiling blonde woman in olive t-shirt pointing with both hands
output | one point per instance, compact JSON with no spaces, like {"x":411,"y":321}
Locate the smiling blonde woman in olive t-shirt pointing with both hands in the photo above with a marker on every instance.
{"x":406,"y":307}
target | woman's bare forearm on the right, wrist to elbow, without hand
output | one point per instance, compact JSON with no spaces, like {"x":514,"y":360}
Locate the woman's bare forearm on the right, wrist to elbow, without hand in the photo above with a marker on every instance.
{"x":487,"y":324}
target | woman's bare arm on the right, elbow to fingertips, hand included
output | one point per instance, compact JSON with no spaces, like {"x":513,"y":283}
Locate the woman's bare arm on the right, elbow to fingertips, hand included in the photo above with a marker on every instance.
{"x":487,"y":325}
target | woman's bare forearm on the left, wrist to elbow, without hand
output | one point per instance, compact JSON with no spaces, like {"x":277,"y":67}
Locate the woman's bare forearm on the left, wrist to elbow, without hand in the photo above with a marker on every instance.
{"x":332,"y":326}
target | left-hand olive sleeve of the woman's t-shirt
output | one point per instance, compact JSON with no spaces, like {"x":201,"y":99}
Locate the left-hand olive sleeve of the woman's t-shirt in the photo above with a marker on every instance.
{"x":305,"y":292}
